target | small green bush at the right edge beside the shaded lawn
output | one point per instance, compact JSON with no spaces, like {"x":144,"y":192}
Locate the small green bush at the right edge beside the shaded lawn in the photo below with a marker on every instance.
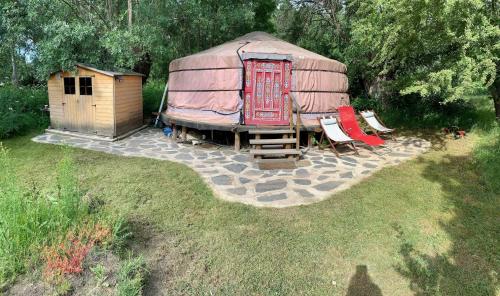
{"x":487,"y":156}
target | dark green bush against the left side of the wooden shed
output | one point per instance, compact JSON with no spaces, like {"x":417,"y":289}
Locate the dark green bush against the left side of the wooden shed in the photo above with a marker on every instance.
{"x":20,"y":109}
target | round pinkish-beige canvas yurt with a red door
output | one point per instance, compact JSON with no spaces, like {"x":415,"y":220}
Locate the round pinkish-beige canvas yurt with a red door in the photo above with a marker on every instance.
{"x":256,"y":81}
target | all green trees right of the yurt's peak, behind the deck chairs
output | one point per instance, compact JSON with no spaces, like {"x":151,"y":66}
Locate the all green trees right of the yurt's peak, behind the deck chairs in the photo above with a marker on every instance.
{"x":438,"y":50}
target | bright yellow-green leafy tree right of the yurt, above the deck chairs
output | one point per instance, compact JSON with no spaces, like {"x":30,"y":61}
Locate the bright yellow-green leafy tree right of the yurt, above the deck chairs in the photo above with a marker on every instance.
{"x":431,"y":48}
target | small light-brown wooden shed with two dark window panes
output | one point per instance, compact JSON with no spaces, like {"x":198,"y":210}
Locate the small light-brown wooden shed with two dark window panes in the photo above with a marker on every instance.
{"x":94,"y":101}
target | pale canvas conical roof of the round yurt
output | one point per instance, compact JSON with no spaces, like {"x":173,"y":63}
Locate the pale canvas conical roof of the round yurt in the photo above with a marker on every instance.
{"x":226,"y":55}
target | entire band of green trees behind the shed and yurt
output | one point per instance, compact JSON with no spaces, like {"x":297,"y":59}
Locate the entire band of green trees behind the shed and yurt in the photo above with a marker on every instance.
{"x":437,"y":50}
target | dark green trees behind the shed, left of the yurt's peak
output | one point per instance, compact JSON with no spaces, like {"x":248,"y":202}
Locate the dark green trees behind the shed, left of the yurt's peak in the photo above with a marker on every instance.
{"x":145,"y":35}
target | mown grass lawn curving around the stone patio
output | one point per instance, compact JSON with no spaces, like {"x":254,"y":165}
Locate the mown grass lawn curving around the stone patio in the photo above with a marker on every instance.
{"x":428,"y":226}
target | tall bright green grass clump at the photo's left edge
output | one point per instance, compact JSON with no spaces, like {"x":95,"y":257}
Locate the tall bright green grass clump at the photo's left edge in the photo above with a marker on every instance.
{"x":31,"y":219}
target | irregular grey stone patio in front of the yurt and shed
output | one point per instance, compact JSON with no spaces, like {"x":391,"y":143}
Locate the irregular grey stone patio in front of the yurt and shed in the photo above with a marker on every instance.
{"x":235,"y":177}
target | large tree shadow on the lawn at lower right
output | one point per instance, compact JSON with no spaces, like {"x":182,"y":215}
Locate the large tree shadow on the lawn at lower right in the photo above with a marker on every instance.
{"x":471,"y":264}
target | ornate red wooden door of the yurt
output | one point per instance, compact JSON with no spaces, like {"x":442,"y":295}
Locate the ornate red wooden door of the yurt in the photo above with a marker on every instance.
{"x":267,"y":91}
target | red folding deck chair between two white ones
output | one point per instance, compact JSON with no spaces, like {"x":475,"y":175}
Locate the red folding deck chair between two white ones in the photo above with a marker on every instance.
{"x":351,"y":127}
